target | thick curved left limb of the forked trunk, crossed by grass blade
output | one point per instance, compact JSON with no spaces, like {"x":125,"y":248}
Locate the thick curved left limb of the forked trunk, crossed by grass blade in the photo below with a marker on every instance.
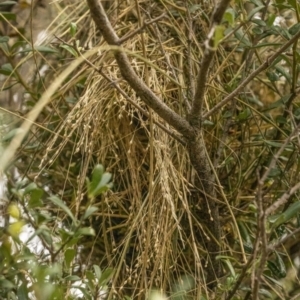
{"x":180,"y":124}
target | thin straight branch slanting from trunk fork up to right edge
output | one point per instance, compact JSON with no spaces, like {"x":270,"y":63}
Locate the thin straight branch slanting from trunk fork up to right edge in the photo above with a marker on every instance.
{"x":263,"y":67}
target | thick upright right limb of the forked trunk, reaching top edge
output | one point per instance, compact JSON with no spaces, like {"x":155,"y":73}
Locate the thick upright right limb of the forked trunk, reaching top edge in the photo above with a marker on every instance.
{"x":206,"y":61}
